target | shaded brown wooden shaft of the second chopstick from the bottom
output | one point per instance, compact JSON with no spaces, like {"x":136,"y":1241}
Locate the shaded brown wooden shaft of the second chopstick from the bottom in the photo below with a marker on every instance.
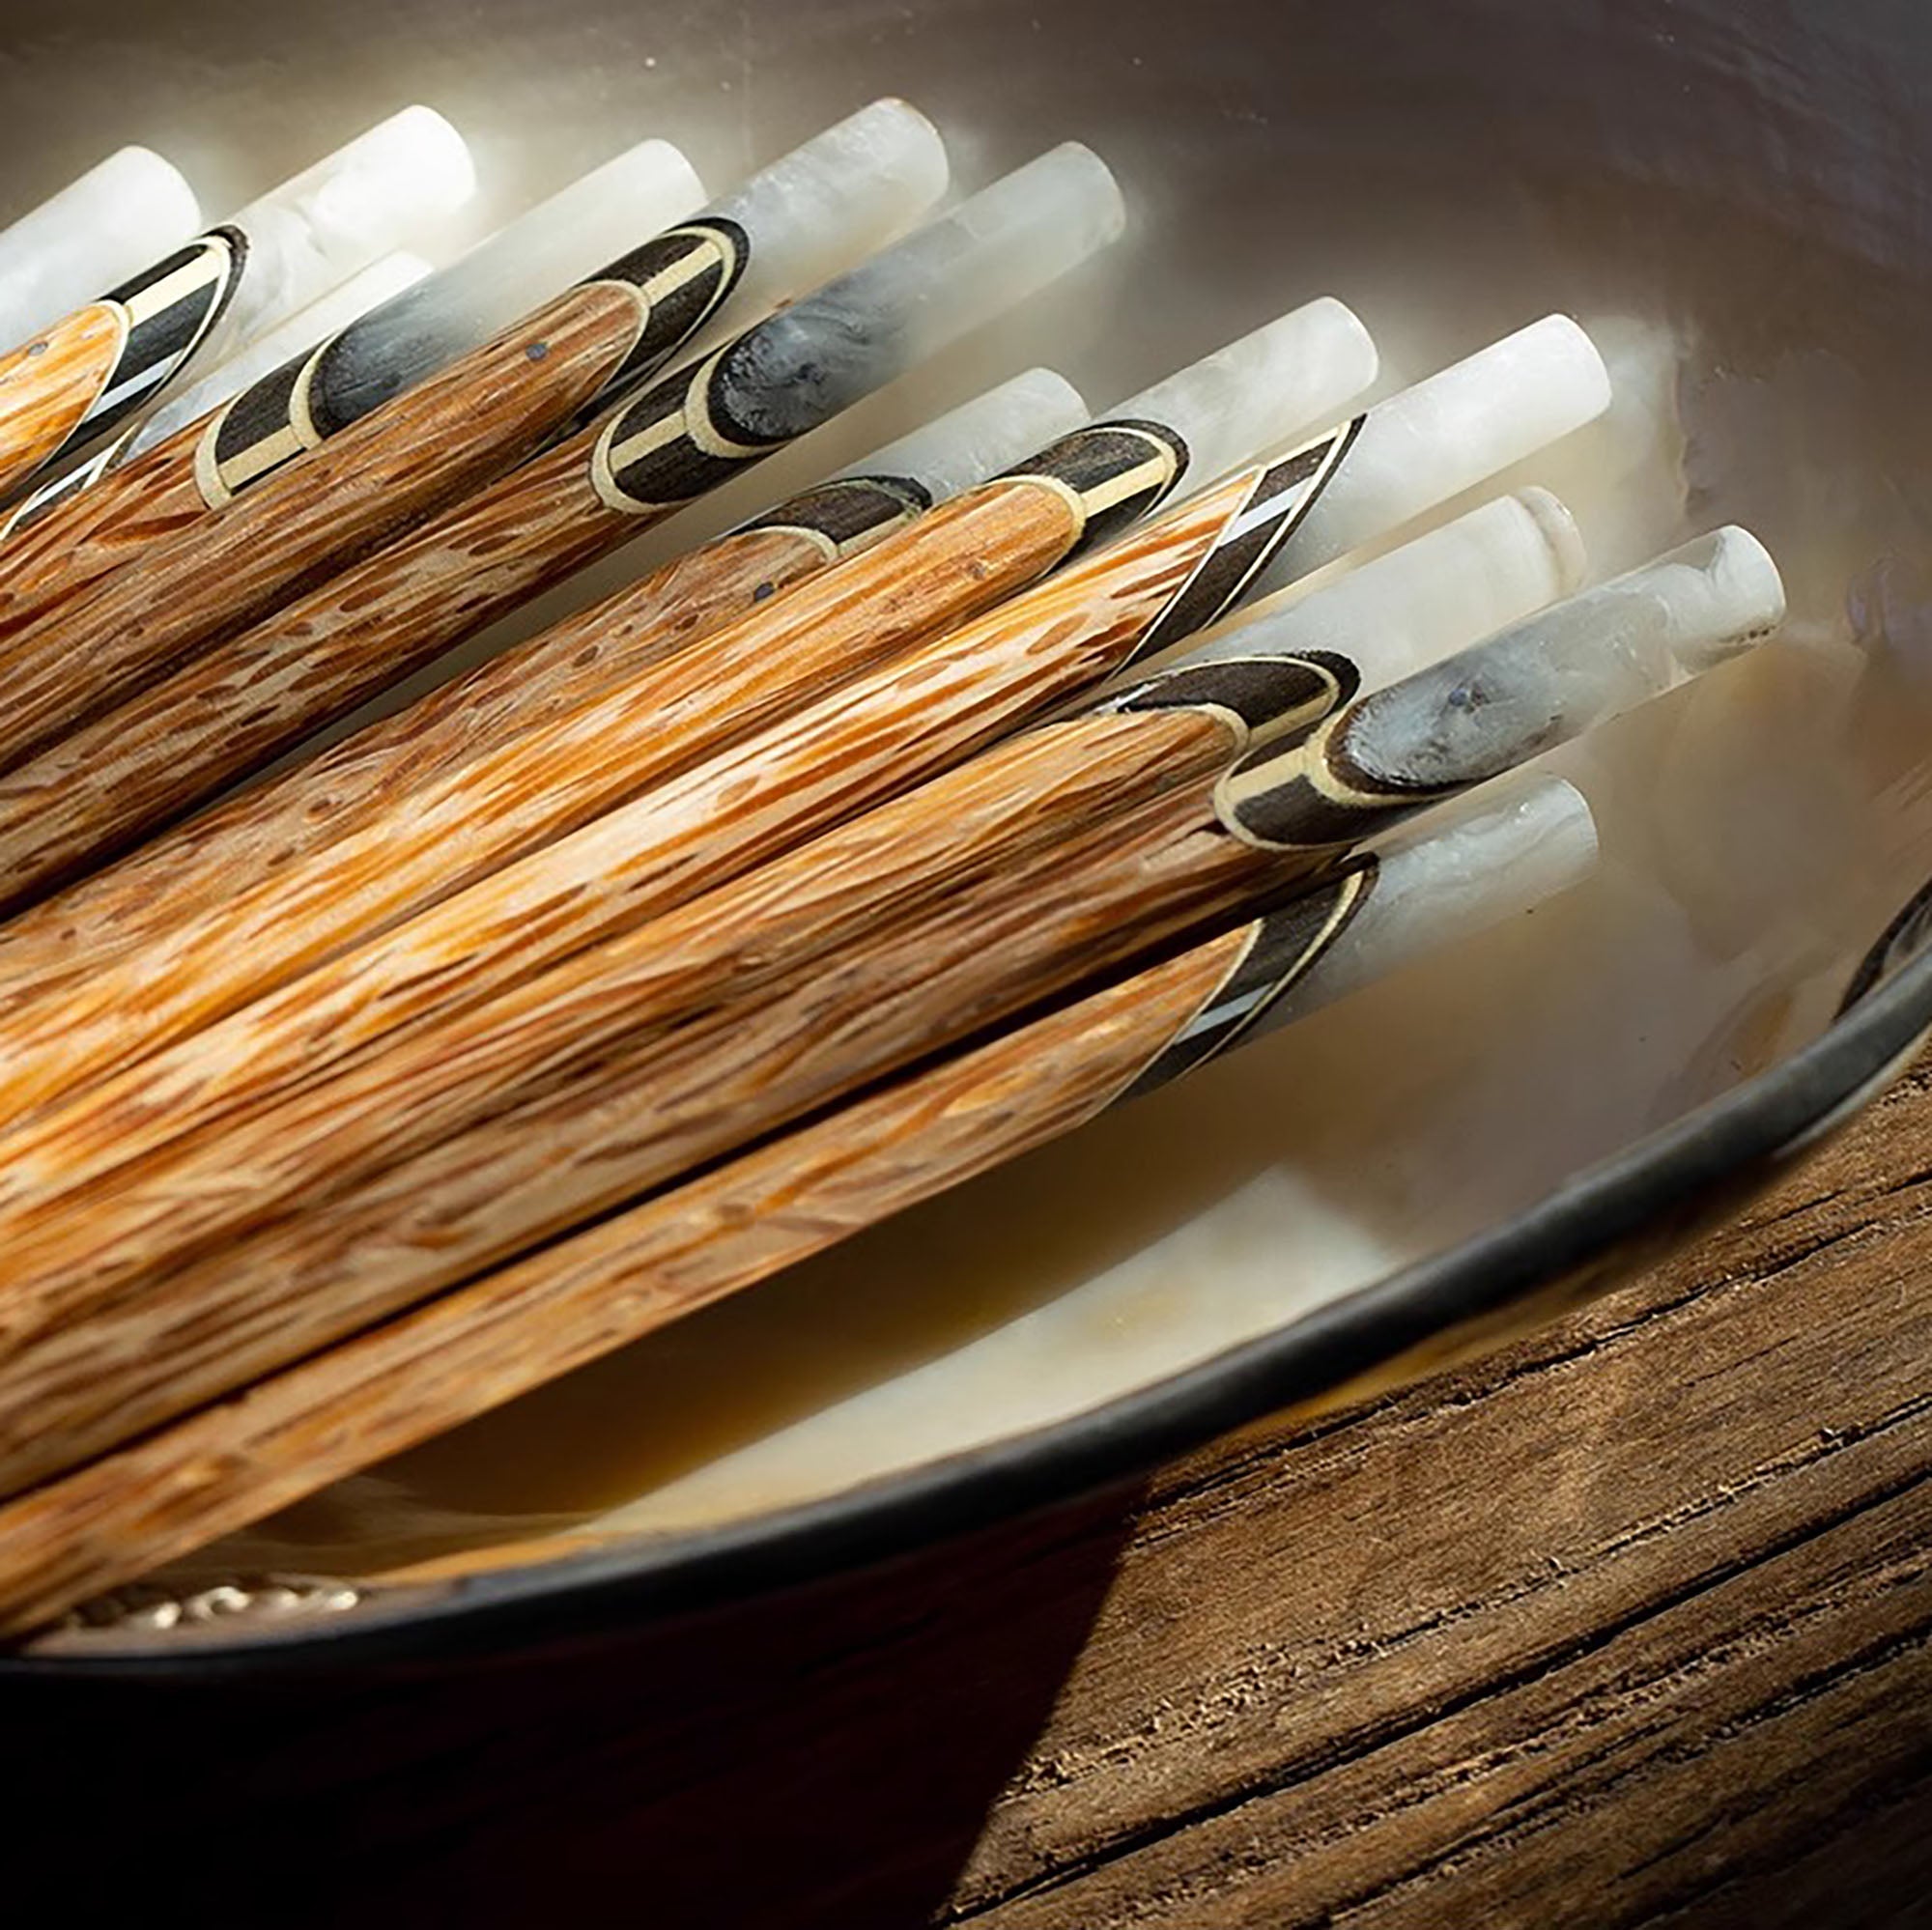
{"x":101,"y":1349}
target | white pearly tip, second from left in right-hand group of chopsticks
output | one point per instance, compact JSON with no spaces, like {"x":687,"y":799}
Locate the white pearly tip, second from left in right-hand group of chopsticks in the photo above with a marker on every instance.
{"x":1288,"y":378}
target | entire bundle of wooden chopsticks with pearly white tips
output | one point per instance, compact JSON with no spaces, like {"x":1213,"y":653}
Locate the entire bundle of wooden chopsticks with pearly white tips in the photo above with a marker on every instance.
{"x":1008,"y":776}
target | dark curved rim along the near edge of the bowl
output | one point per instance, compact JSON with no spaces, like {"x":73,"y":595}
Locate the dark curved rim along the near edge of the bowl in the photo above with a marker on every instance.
{"x":1736,"y":1143}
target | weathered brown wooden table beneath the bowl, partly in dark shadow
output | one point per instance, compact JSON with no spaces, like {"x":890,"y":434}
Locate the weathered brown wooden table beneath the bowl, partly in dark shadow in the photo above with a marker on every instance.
{"x":1630,"y":1626}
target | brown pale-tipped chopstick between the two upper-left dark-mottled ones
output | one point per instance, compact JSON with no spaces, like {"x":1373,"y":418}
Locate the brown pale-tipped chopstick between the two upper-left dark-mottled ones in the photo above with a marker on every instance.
{"x":459,"y":430}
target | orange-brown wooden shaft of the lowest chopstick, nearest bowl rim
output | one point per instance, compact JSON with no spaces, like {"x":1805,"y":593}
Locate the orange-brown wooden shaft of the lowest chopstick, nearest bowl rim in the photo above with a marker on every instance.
{"x":418,"y":1377}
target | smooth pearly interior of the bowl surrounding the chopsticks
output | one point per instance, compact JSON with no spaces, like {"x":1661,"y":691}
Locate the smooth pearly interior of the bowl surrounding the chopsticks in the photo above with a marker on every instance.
{"x":1730,"y":200}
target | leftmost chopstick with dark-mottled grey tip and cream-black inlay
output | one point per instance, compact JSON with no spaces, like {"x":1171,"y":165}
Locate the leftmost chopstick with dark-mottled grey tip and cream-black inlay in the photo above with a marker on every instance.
{"x":326,"y":370}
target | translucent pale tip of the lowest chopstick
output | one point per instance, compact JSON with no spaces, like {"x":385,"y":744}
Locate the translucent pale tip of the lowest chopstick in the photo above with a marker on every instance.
{"x":1527,"y":843}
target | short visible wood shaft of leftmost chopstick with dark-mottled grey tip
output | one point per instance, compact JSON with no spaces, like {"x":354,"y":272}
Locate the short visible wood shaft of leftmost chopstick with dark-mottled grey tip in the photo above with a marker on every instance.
{"x":55,"y":561}
